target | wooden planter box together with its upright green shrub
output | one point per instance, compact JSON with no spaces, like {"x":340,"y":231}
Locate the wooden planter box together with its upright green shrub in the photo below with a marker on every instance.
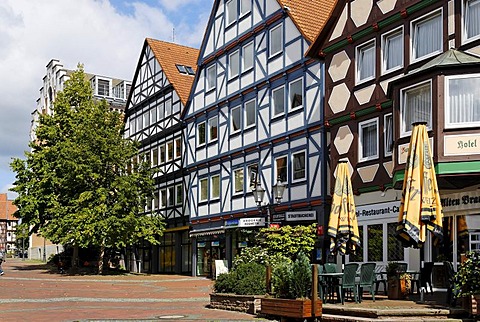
{"x":291,"y":291}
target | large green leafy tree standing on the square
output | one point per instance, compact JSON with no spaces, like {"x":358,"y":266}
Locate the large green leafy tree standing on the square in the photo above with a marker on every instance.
{"x":76,"y":185}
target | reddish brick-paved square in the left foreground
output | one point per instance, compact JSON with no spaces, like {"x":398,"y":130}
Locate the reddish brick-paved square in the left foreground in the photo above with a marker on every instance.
{"x":32,"y":291}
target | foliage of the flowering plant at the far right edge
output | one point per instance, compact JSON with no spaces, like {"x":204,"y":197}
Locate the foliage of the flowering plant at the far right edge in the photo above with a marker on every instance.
{"x":467,"y":278}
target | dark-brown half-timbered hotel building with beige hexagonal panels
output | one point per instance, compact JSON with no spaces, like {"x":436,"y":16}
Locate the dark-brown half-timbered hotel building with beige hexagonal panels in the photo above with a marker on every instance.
{"x":389,"y":64}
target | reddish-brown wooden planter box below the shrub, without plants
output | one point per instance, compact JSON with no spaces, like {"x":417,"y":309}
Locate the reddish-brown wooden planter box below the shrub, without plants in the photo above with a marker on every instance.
{"x":290,"y":308}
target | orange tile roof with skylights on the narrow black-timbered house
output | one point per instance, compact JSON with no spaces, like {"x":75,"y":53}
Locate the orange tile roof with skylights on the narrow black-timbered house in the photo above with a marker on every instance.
{"x":168,"y":55}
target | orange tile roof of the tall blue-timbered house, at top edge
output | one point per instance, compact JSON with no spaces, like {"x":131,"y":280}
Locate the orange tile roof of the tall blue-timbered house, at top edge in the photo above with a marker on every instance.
{"x":310,"y":16}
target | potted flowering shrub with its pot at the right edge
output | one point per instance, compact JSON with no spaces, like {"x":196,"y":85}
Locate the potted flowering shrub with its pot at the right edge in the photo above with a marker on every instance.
{"x":467,"y":282}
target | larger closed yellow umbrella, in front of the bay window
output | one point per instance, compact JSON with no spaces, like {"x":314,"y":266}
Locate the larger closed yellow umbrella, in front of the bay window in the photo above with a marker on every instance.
{"x":421,"y":208}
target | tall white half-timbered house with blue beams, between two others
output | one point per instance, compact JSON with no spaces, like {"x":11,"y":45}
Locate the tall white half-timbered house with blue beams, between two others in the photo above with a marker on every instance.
{"x":255,"y":117}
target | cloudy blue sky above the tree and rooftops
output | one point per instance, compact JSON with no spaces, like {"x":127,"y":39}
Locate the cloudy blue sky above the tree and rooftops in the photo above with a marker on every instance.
{"x":106,"y":36}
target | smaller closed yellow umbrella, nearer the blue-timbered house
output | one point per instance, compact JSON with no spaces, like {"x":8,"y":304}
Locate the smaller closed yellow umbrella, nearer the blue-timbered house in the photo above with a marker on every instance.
{"x":342,"y":225}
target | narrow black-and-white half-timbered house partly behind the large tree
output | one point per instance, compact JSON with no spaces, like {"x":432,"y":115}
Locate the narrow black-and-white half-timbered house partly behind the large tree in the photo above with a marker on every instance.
{"x":160,"y":90}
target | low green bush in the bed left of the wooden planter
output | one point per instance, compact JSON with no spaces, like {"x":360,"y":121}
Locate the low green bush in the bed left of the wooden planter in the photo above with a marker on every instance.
{"x":245,"y":279}
